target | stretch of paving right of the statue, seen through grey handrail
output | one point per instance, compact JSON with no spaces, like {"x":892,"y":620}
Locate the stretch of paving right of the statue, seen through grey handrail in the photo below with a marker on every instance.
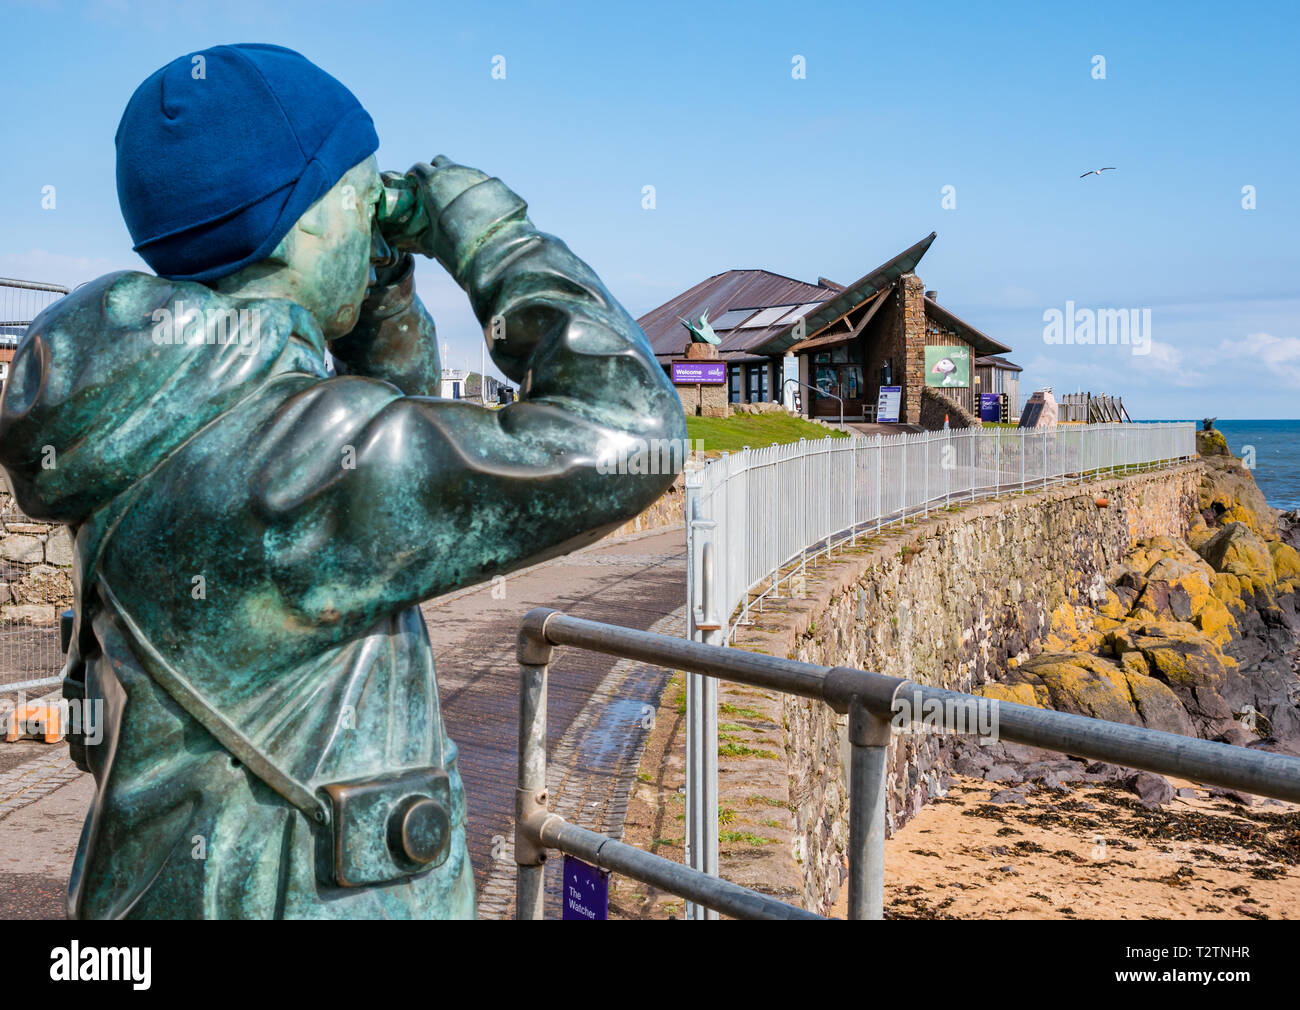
{"x":599,"y":708}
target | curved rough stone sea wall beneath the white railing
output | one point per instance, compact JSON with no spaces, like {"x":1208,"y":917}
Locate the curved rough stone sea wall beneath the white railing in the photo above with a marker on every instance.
{"x":944,"y":604}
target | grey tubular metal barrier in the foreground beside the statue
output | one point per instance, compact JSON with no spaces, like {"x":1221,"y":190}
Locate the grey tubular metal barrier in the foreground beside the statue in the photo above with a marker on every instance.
{"x":874,"y":704}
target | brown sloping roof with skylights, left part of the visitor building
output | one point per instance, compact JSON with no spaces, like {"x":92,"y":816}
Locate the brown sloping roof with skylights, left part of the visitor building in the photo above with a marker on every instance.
{"x":723,"y":292}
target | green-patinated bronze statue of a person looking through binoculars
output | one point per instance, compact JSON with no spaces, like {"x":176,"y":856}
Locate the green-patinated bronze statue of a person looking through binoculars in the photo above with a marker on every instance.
{"x":255,"y":535}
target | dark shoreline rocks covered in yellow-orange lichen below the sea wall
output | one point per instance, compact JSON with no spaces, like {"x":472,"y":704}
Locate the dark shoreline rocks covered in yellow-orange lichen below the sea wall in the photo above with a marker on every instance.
{"x":1197,"y":636}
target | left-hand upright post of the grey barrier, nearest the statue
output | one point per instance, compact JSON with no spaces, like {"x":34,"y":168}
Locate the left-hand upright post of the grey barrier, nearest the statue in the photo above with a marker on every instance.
{"x":535,"y":657}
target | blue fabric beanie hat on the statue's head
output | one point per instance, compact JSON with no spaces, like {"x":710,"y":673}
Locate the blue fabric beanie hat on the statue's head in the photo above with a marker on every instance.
{"x":219,"y":157}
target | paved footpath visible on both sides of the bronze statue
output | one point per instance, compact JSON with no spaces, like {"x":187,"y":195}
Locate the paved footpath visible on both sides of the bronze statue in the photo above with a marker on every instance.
{"x":599,"y":718}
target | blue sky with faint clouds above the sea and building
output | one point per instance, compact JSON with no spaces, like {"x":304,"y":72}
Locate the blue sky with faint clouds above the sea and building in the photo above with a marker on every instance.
{"x":830,"y":175}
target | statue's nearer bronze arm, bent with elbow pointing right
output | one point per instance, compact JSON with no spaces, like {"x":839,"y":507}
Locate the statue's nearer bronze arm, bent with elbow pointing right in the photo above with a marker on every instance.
{"x":375,"y":501}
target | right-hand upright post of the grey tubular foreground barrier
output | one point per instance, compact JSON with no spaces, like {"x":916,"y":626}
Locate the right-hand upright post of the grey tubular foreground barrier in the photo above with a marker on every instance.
{"x":869,"y":736}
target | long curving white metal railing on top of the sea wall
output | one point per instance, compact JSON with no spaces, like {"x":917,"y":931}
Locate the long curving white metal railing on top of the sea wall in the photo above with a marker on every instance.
{"x":766,"y":509}
